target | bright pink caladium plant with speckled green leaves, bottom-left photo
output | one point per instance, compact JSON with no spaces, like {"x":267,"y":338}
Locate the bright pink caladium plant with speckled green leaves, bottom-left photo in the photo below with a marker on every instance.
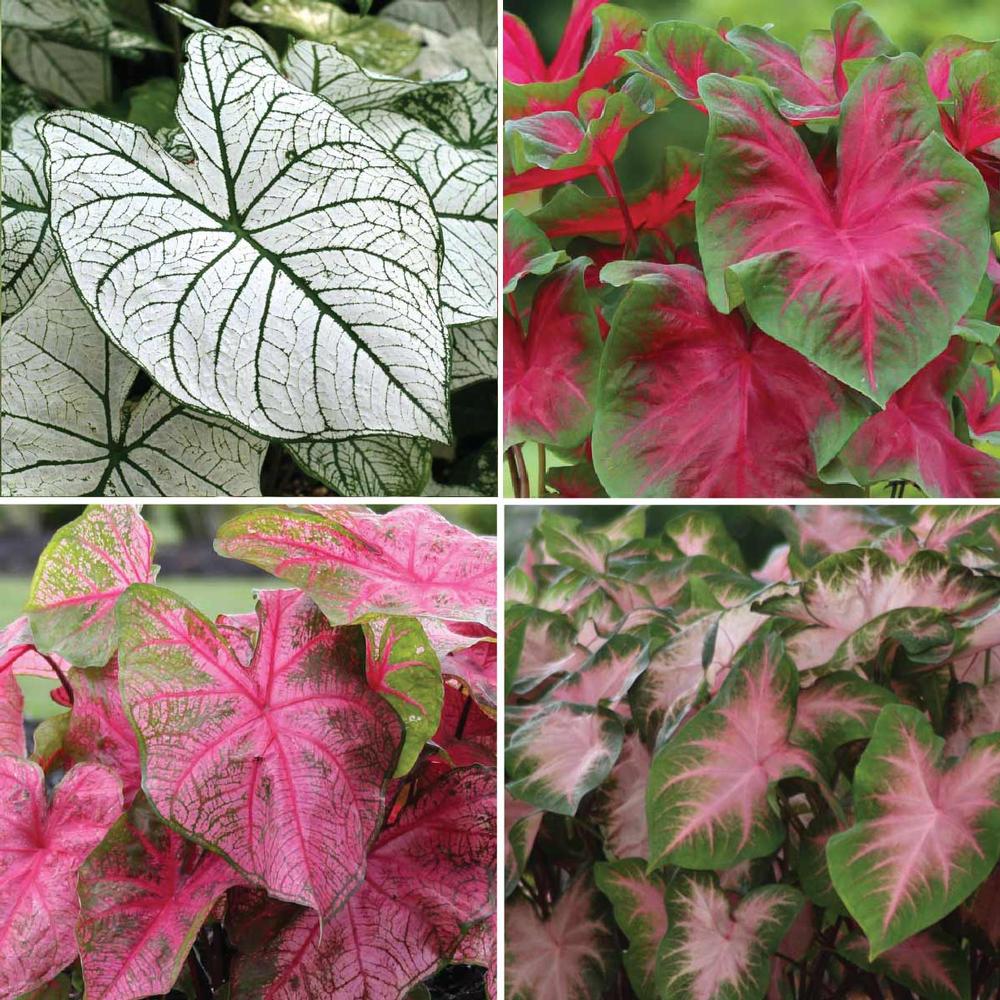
{"x":289,"y":803}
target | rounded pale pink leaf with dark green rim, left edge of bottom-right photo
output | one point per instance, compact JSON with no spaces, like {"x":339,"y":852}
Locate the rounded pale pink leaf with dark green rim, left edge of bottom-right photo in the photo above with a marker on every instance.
{"x":561,"y":753}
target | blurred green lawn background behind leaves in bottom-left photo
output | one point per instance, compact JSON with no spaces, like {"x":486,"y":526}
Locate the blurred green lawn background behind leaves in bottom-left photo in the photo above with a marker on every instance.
{"x":188,"y":563}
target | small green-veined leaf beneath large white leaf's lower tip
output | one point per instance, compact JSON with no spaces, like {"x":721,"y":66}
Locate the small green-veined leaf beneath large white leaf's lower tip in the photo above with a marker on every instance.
{"x":384,"y":465}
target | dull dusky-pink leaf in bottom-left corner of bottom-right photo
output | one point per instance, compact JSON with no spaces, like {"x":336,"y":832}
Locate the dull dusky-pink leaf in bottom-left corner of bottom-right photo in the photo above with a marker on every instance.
{"x":569,"y":956}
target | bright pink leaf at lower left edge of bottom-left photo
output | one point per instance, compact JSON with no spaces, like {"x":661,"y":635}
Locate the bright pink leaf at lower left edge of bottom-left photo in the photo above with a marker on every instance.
{"x":41,"y":849}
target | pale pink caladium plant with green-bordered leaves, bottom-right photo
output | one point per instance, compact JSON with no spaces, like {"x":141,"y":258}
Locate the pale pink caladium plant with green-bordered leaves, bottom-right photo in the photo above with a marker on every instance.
{"x":757,"y":748}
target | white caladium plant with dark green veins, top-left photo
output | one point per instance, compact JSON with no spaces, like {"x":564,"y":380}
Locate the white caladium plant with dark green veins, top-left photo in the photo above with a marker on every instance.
{"x":270,"y":252}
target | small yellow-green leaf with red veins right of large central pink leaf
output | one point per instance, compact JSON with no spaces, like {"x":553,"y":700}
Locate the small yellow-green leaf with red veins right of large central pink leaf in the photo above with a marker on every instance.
{"x":401,"y":665}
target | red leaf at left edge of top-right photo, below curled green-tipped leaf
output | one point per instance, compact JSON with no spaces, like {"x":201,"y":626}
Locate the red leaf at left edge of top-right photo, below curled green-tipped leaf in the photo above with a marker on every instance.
{"x":550,"y":368}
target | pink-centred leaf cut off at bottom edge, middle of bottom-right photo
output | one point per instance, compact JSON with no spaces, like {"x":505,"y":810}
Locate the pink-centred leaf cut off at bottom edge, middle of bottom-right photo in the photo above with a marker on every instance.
{"x":715,"y":950}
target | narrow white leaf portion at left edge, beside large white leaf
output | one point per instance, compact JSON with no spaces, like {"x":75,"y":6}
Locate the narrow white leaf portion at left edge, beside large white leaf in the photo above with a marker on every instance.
{"x":29,"y":249}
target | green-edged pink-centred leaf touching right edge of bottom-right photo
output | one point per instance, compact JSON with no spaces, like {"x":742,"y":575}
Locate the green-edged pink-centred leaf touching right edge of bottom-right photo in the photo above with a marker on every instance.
{"x":927,"y":832}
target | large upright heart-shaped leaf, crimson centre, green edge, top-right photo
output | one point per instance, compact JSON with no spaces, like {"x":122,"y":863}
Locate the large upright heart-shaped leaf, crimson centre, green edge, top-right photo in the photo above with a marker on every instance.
{"x":814,"y":266}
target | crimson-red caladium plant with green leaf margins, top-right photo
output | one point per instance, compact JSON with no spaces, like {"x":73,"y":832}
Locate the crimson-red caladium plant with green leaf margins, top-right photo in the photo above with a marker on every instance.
{"x":818,"y":271}
